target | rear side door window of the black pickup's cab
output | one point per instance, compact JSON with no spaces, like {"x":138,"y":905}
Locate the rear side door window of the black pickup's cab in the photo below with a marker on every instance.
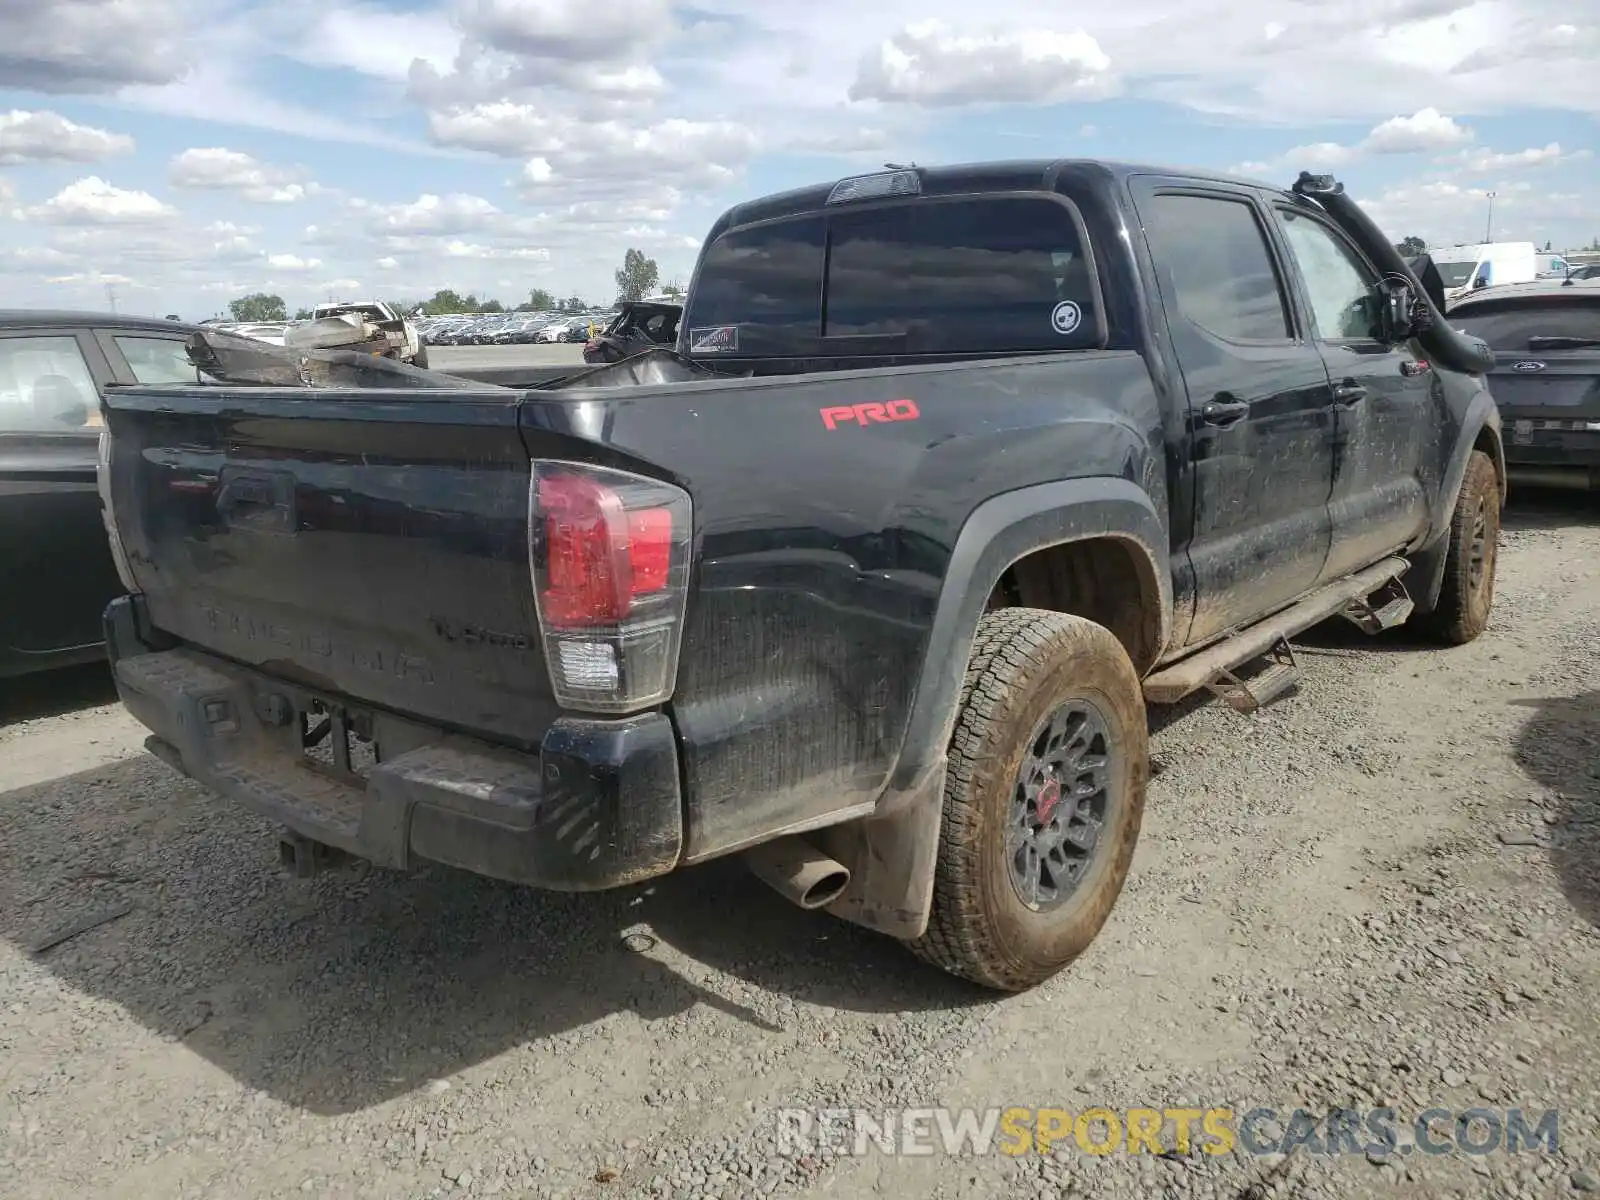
{"x":1215,"y":254}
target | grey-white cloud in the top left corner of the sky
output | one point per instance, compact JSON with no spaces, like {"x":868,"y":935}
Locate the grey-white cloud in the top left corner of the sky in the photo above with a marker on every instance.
{"x":92,"y":46}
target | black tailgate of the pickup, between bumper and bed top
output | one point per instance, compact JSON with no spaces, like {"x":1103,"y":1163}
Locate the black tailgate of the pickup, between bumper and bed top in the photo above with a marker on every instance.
{"x":370,"y":546}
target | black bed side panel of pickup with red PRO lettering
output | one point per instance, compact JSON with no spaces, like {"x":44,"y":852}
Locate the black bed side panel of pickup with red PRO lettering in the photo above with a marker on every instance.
{"x":823,"y":553}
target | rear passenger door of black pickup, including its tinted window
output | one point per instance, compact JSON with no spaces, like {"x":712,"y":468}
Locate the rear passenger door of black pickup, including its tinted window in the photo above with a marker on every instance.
{"x":1260,"y":402}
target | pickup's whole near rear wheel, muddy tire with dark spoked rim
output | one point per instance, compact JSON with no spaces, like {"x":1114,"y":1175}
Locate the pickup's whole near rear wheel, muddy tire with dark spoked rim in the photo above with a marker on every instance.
{"x":1044,"y":799}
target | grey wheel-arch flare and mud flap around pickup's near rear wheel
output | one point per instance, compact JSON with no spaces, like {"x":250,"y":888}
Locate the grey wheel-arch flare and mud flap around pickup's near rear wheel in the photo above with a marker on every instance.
{"x":892,"y":854}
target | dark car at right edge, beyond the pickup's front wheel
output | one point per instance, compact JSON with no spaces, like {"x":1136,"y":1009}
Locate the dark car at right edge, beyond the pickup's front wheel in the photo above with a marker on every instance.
{"x":1546,"y":378}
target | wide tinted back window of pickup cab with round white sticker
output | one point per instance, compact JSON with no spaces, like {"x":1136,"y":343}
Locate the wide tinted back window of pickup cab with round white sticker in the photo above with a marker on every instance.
{"x":990,"y":274}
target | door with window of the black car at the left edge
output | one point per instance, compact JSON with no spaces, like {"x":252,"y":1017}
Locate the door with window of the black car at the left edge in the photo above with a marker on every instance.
{"x":58,"y":566}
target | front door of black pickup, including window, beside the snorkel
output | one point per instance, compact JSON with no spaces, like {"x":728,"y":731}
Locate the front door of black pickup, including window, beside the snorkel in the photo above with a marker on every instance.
{"x":1383,"y":398}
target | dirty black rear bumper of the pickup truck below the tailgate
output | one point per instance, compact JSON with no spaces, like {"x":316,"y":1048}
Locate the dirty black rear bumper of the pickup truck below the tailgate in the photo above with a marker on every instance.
{"x":599,"y":807}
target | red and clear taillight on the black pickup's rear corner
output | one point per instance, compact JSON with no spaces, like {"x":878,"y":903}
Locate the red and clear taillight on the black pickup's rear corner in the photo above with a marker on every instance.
{"x":610,"y":558}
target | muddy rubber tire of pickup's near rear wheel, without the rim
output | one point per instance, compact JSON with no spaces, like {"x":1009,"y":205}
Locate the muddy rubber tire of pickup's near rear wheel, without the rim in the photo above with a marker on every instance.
{"x":1026,"y":666}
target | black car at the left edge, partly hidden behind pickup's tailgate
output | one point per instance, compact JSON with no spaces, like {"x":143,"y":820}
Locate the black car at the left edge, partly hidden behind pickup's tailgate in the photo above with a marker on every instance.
{"x":58,"y":566}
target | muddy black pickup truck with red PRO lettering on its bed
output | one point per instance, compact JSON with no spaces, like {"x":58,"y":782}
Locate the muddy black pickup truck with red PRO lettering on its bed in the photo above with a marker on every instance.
{"x":974,"y":465}
